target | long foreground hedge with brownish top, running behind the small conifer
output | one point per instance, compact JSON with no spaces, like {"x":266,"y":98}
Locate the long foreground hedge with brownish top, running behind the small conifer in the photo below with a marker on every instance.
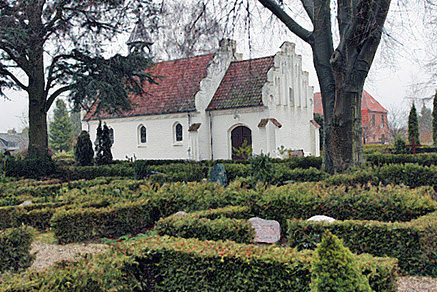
{"x":194,"y":265}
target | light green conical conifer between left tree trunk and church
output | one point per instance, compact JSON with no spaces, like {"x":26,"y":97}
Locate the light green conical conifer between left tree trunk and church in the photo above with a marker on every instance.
{"x":61,"y":130}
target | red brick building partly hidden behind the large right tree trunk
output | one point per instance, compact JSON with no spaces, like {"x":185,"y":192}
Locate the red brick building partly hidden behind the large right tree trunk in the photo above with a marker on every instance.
{"x":373,"y":116}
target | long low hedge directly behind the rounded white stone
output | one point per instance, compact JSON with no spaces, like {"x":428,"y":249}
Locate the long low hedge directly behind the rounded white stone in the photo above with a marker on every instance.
{"x":304,"y":200}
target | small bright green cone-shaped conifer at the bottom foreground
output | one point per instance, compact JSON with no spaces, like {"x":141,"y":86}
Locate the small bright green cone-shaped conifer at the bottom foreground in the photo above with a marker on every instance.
{"x":334,"y":268}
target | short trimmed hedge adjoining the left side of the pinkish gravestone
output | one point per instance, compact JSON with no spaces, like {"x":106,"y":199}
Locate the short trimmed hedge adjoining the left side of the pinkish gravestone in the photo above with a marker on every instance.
{"x":210,"y":225}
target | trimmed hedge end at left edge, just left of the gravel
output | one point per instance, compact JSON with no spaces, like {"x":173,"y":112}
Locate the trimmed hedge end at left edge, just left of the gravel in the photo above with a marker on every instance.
{"x":15,"y":249}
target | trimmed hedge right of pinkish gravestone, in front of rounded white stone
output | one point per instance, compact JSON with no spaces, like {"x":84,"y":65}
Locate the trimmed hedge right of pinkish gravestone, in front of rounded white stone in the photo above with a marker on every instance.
{"x":414,"y":243}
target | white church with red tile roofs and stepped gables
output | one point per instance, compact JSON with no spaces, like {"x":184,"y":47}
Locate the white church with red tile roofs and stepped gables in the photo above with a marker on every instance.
{"x":207,"y":106}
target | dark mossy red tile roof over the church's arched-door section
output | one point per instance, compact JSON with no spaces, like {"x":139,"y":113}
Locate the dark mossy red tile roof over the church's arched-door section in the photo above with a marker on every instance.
{"x":242,"y":84}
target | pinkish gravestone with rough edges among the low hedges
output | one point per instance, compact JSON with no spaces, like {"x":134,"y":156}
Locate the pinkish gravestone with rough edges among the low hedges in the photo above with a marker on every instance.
{"x":266,"y":231}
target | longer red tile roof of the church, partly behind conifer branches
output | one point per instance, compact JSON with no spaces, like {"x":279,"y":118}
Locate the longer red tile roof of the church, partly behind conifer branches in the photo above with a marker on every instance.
{"x":175,"y":92}
